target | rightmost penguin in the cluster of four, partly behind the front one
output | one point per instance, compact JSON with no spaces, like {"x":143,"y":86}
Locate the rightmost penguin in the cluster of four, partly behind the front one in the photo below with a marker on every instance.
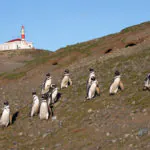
{"x":52,"y":98}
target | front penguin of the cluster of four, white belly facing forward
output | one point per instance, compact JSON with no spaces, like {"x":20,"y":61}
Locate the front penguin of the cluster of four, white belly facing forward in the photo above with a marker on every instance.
{"x":44,"y":110}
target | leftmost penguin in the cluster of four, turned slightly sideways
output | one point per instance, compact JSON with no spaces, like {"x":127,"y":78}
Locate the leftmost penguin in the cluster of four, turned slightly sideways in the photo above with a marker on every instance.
{"x":35,"y":104}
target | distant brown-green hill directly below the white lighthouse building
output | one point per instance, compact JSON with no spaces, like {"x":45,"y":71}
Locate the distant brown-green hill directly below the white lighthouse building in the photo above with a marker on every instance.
{"x":12,"y":60}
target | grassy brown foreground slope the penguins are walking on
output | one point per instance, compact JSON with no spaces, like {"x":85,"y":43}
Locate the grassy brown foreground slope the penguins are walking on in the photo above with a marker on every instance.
{"x":119,"y":122}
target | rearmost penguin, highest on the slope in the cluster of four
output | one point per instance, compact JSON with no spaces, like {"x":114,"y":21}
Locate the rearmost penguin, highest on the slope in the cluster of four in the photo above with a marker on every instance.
{"x":46,"y":84}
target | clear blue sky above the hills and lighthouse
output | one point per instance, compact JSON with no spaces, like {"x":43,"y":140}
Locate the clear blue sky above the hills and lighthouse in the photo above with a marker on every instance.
{"x":53,"y":24}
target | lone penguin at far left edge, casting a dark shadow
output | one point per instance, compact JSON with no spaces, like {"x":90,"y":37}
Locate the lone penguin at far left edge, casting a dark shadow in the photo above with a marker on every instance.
{"x":5,"y":118}
